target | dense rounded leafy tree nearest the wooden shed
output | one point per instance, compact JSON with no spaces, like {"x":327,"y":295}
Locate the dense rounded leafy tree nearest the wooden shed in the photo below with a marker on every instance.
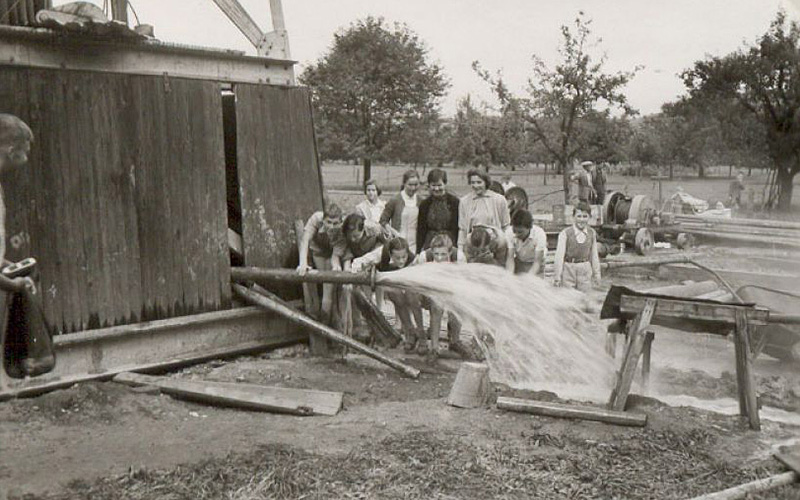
{"x":374,"y":82}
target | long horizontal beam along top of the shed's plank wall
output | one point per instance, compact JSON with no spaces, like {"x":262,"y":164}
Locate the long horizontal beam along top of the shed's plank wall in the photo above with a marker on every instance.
{"x":38,"y":48}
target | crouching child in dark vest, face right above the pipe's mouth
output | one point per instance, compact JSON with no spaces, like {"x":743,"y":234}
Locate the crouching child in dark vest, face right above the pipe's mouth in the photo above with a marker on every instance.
{"x":393,"y":256}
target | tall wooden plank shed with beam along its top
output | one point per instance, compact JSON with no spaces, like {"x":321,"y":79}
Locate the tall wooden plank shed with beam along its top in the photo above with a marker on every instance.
{"x":141,"y":148}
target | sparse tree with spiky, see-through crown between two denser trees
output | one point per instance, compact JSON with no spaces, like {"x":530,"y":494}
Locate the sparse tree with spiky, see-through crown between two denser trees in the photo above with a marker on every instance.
{"x":560,"y":102}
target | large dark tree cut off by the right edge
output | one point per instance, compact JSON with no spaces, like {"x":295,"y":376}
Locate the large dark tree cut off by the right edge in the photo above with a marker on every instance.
{"x":764,"y":79}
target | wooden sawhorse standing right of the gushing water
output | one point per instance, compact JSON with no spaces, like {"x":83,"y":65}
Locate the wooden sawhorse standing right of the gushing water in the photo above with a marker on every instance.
{"x":645,"y":309}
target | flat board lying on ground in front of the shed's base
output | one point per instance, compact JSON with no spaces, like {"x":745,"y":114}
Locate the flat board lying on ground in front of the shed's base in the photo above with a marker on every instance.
{"x":247,"y":396}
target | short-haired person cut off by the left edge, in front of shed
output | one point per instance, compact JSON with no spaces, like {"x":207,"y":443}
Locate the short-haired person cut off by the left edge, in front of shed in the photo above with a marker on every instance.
{"x":15,"y":145}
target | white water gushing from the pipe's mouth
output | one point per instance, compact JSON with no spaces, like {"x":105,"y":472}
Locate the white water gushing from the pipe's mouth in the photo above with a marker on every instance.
{"x":541,"y":338}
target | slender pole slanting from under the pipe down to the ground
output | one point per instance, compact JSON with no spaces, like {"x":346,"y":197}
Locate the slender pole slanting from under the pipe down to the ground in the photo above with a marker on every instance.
{"x":275,"y":304}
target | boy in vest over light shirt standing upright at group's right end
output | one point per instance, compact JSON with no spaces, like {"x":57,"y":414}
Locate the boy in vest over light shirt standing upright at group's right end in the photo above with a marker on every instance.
{"x":577,"y":264}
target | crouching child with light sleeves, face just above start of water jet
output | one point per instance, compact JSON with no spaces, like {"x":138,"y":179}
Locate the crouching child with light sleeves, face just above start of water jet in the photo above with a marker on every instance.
{"x":442,"y":250}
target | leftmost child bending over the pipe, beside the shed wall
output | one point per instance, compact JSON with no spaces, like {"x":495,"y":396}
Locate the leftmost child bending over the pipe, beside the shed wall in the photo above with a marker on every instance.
{"x":322,"y":233}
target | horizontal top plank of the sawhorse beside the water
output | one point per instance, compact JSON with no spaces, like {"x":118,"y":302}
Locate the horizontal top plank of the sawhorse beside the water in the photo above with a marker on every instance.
{"x":687,"y":309}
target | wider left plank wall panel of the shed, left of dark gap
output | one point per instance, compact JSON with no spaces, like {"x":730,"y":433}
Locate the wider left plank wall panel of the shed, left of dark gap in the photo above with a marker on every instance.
{"x":123,"y":200}
